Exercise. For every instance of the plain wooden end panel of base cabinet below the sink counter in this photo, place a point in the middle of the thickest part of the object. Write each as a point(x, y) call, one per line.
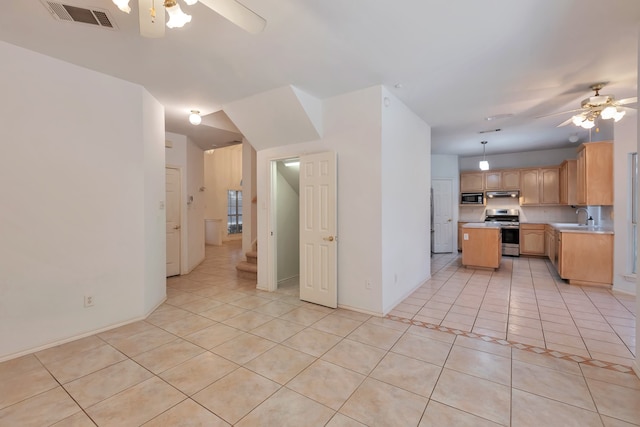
point(586, 258)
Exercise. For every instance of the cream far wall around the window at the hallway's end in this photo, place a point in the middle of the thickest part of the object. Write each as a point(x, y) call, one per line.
point(222, 172)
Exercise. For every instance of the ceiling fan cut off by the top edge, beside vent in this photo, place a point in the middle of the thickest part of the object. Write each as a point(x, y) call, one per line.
point(152, 20)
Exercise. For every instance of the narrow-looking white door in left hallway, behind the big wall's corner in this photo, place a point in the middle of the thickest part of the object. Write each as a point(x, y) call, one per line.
point(173, 221)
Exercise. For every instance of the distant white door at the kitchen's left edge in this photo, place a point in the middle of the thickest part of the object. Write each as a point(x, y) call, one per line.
point(442, 215)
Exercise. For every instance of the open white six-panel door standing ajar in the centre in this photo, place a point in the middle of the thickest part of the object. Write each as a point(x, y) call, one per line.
point(318, 227)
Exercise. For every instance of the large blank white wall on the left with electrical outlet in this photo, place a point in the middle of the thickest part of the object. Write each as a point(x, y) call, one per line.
point(83, 176)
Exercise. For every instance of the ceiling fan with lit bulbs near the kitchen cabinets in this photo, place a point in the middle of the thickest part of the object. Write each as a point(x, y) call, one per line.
point(603, 106)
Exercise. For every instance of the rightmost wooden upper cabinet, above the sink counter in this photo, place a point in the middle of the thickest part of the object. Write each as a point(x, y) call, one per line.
point(594, 169)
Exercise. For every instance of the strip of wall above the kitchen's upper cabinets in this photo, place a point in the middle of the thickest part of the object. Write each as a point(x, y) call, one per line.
point(520, 160)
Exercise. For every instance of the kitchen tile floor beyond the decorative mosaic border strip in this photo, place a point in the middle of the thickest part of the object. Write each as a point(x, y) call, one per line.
point(525, 302)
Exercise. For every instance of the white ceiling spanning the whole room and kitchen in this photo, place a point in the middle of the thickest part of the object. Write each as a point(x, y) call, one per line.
point(457, 62)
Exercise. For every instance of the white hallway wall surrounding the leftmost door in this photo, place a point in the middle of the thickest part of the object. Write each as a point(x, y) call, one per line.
point(185, 155)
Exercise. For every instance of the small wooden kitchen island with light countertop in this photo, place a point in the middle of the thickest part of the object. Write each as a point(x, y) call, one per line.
point(481, 245)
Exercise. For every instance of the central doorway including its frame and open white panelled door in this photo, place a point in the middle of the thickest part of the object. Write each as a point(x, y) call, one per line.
point(316, 225)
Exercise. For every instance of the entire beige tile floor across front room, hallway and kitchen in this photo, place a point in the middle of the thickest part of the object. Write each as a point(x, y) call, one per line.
point(219, 352)
